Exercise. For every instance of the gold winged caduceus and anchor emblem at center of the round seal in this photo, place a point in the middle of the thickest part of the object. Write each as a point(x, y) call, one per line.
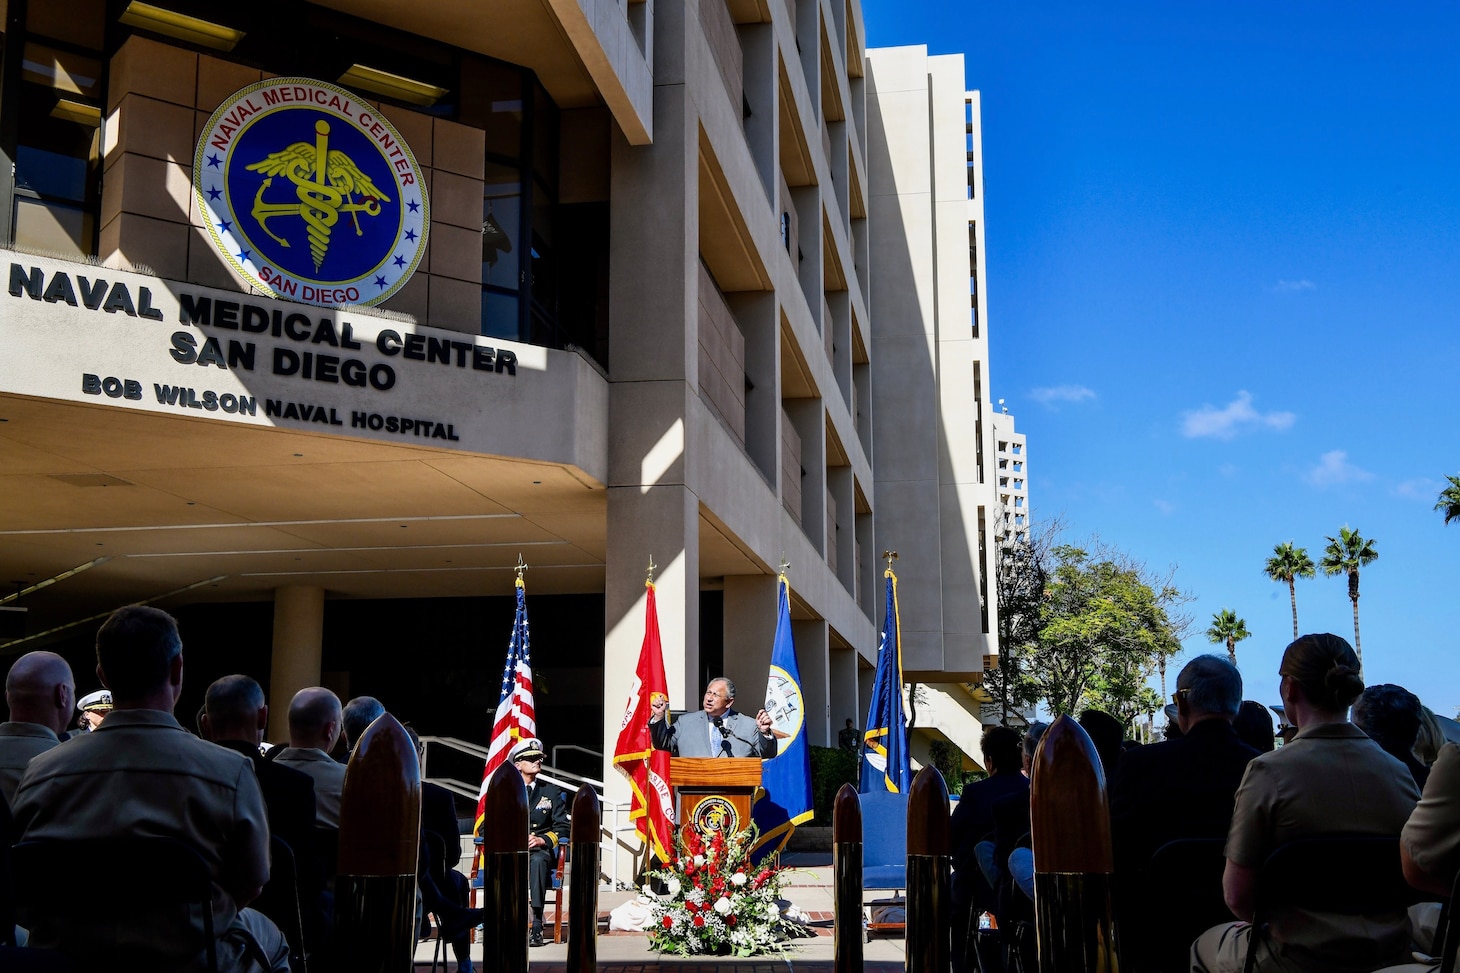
point(326, 183)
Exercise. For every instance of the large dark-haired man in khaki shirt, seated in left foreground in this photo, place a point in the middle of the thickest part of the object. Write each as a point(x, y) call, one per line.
point(142, 775)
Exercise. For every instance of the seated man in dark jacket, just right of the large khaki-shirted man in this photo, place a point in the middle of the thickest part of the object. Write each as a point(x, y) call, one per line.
point(234, 718)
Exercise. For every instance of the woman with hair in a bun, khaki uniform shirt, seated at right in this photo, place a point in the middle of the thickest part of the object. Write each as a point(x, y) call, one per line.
point(1332, 779)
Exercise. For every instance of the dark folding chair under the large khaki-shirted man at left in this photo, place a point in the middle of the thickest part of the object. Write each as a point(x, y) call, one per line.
point(160, 873)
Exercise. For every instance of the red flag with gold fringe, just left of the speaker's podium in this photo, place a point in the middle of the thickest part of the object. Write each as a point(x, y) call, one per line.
point(634, 753)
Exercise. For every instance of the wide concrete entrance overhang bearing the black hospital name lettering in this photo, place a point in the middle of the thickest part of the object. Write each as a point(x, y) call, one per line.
point(198, 505)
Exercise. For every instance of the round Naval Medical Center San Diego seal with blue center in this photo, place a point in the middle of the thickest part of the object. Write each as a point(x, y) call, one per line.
point(310, 194)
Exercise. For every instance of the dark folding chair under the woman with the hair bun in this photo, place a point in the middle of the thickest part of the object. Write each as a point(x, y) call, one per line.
point(1350, 876)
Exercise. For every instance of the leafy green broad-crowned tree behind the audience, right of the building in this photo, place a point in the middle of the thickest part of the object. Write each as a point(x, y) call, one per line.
point(1104, 626)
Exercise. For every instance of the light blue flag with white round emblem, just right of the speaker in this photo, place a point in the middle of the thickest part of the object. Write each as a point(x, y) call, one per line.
point(786, 778)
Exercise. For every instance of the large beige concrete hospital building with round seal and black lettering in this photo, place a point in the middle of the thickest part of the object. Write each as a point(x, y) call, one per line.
point(694, 293)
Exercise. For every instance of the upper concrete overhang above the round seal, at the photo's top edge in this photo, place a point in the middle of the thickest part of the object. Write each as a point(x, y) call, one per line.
point(585, 52)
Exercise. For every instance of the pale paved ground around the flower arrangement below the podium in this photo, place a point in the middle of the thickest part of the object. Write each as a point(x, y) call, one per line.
point(808, 888)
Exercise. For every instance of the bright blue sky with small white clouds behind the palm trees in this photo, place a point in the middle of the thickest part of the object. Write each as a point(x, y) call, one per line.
point(1224, 277)
